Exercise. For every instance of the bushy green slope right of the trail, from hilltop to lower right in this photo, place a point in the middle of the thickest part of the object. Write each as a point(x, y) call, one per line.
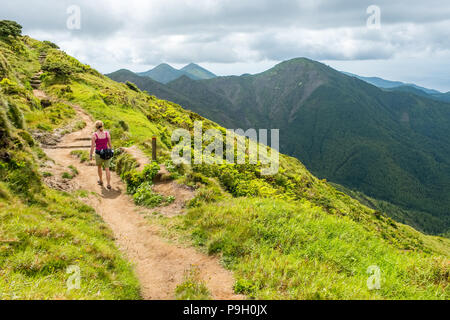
point(289, 235)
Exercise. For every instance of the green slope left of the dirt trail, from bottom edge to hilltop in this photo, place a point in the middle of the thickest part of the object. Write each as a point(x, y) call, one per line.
point(46, 235)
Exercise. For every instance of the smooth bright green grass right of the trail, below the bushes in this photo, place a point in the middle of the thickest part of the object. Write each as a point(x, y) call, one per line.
point(282, 250)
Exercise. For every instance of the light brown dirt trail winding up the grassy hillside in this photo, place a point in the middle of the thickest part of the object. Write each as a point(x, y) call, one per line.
point(159, 265)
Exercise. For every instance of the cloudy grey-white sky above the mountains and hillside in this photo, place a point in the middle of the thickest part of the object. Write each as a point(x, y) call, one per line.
point(412, 43)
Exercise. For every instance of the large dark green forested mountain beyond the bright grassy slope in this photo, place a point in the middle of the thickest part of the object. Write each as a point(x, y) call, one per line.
point(391, 145)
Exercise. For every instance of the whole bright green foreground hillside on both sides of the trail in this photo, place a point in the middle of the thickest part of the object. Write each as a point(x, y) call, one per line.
point(313, 241)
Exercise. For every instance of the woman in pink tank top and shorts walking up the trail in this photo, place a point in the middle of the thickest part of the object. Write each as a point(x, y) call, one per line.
point(101, 139)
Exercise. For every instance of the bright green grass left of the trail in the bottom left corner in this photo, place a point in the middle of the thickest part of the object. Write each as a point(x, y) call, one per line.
point(49, 237)
